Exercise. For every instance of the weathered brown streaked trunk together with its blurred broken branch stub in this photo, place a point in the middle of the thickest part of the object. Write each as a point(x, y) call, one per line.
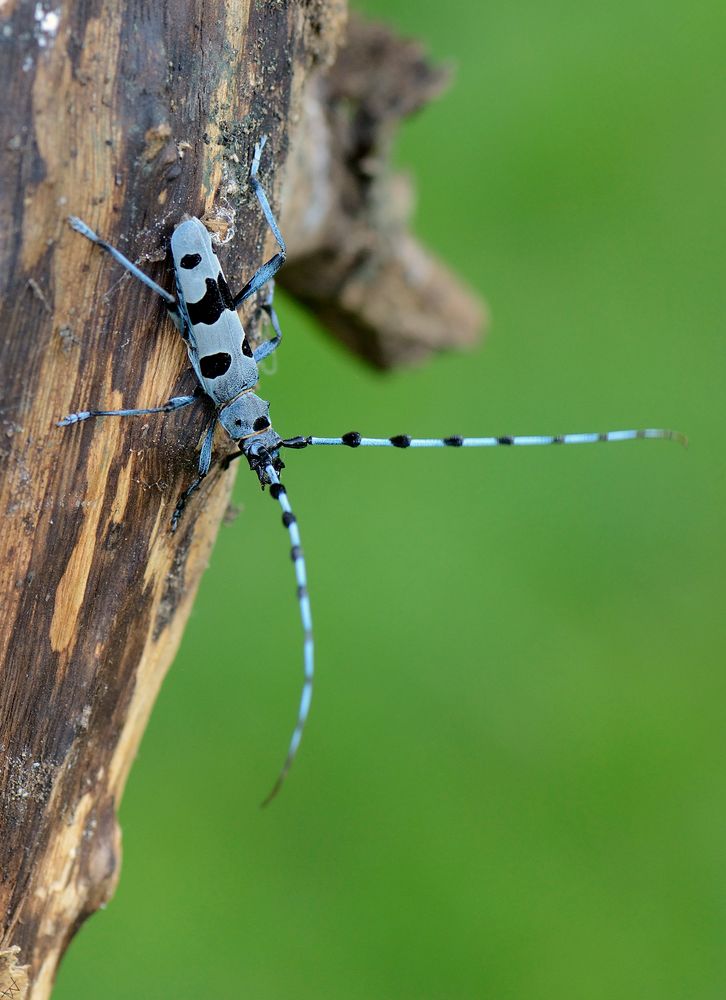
point(128, 116)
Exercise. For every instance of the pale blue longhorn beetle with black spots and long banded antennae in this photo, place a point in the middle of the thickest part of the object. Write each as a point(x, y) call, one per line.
point(225, 365)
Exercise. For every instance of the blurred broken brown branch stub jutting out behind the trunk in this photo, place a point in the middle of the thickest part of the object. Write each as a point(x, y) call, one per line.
point(352, 258)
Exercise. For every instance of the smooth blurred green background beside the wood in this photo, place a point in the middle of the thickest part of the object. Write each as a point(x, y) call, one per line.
point(512, 781)
